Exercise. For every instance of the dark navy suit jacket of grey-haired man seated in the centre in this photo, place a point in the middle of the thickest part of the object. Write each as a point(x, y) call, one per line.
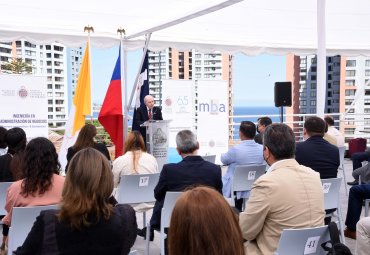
point(192, 170)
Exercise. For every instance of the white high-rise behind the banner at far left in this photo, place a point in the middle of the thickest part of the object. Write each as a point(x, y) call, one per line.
point(58, 63)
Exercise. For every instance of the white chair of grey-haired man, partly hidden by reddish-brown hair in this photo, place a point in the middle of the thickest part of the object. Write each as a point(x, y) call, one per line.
point(168, 205)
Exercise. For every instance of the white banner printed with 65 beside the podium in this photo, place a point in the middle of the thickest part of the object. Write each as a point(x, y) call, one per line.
point(178, 106)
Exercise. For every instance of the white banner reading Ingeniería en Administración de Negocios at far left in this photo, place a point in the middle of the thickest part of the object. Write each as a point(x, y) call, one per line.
point(23, 103)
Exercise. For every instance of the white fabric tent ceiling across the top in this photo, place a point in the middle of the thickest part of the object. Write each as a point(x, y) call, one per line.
point(250, 26)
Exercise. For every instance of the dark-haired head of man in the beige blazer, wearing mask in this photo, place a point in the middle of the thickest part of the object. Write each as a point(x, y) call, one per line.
point(278, 143)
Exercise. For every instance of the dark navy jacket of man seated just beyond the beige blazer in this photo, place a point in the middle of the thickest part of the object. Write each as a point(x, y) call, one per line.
point(319, 155)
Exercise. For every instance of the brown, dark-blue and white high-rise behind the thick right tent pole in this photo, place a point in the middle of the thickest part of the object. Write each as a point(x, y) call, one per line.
point(345, 76)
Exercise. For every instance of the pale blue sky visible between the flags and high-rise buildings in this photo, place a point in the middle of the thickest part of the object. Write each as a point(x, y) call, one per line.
point(253, 76)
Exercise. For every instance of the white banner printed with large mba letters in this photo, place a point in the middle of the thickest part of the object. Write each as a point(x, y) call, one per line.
point(213, 118)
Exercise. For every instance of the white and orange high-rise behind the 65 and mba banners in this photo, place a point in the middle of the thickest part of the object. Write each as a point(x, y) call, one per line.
point(188, 65)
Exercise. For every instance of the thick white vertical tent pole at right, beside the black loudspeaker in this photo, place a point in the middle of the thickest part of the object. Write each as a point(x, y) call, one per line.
point(321, 59)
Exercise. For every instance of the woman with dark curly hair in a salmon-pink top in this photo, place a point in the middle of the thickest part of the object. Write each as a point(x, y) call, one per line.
point(42, 184)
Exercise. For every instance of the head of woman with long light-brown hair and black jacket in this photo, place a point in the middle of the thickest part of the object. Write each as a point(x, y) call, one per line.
point(87, 188)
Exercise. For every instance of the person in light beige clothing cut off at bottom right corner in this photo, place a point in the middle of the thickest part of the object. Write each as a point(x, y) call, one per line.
point(363, 236)
